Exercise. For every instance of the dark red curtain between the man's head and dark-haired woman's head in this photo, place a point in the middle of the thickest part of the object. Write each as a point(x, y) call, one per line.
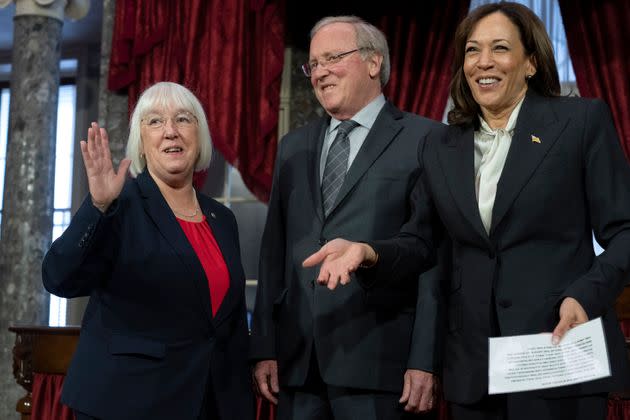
point(421, 49)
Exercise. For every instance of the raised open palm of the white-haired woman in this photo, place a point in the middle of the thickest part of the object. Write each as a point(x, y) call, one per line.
point(104, 182)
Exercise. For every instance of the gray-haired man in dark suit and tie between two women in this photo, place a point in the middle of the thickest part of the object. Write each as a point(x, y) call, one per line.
point(366, 350)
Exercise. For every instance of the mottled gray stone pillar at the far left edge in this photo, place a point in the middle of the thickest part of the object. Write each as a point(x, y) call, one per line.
point(29, 177)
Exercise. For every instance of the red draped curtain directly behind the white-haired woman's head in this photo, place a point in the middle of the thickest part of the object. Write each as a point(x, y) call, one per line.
point(229, 53)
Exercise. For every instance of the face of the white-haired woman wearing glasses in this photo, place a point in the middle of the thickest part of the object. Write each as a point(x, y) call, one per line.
point(171, 150)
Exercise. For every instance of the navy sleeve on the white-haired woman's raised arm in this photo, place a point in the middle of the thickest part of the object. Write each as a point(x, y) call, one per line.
point(80, 260)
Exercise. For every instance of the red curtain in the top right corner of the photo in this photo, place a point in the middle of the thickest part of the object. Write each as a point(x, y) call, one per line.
point(598, 35)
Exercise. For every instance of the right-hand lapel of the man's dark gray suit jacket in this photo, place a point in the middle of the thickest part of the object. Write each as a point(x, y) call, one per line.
point(381, 134)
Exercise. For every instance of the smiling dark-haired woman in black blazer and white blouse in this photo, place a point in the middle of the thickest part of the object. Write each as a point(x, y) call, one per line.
point(518, 186)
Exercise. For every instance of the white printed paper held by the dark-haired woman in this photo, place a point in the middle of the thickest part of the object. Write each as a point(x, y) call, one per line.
point(528, 362)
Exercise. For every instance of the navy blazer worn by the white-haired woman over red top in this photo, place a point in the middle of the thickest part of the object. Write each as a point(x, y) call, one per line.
point(148, 342)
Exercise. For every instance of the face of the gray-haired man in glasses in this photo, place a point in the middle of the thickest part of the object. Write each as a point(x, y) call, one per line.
point(345, 87)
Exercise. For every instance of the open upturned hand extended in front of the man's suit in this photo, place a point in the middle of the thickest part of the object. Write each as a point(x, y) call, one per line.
point(339, 258)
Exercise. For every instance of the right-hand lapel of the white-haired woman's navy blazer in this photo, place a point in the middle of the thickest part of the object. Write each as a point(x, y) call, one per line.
point(231, 256)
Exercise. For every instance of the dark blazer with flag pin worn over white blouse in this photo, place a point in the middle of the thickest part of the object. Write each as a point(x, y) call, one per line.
point(565, 177)
